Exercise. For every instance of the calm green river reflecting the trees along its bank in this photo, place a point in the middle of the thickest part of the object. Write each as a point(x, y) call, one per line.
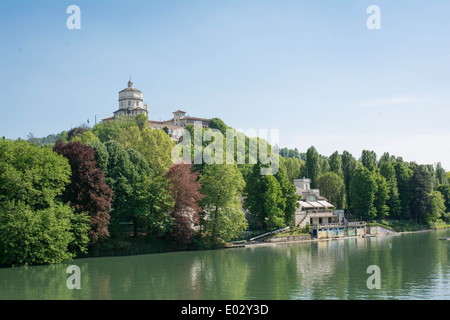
point(411, 266)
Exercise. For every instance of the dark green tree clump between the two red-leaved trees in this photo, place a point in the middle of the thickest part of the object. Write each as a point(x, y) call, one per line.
point(140, 196)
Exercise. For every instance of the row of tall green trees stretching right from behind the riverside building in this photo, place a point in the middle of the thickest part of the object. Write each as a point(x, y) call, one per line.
point(373, 188)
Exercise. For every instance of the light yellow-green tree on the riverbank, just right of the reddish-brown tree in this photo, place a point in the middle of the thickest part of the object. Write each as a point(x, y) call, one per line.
point(222, 186)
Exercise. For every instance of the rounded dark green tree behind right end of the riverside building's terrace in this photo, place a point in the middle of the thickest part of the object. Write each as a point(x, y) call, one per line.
point(362, 193)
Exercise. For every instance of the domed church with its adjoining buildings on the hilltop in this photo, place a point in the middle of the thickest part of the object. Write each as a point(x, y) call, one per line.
point(131, 103)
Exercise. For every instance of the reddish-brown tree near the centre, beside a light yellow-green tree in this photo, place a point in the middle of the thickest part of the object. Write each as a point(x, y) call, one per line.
point(185, 190)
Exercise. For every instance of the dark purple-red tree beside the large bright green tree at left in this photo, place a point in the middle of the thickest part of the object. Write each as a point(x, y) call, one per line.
point(87, 191)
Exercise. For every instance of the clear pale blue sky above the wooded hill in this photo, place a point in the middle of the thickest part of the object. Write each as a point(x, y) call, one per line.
point(311, 69)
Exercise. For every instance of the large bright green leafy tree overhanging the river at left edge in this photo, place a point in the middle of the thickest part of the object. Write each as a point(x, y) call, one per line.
point(35, 227)
